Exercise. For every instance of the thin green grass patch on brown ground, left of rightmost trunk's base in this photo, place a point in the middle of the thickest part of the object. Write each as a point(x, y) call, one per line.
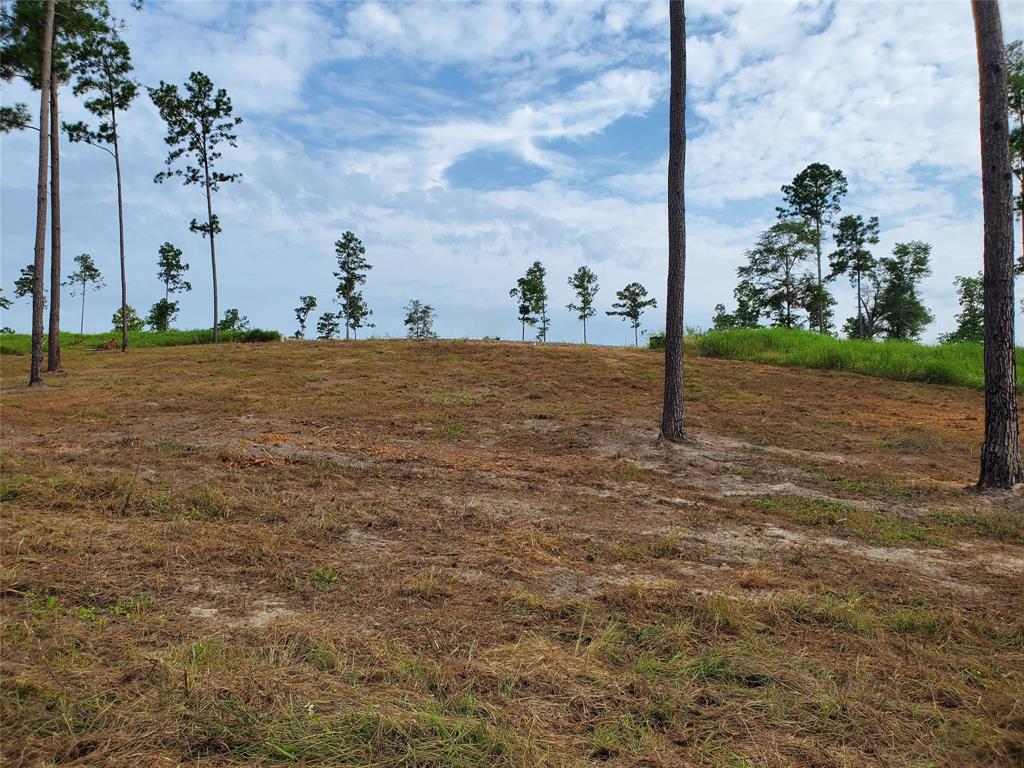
point(847, 520)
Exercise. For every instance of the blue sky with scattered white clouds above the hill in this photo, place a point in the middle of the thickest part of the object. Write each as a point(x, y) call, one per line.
point(462, 142)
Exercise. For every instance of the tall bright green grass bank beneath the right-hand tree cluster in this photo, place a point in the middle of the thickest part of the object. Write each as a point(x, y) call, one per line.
point(958, 365)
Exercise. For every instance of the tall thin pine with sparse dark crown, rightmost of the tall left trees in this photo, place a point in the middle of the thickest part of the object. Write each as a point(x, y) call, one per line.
point(197, 124)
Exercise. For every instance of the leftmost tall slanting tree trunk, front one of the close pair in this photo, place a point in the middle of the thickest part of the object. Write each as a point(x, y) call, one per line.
point(39, 263)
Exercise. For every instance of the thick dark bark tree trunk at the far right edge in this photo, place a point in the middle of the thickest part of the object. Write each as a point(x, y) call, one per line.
point(1001, 454)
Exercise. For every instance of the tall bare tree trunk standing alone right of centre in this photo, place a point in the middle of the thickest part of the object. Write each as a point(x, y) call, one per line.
point(672, 411)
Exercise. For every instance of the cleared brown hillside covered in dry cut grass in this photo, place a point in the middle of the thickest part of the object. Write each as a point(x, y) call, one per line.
point(475, 554)
